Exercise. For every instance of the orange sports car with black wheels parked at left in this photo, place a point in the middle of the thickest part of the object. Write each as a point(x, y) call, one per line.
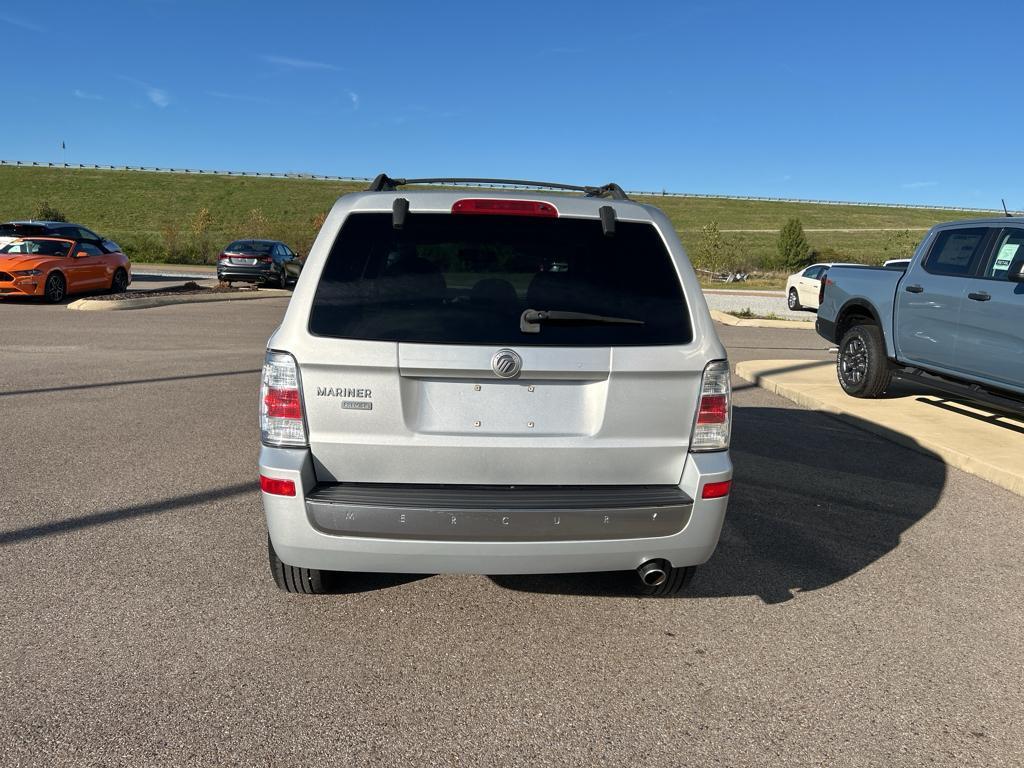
point(55, 268)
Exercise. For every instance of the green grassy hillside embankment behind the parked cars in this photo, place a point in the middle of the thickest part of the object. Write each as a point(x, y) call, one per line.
point(159, 217)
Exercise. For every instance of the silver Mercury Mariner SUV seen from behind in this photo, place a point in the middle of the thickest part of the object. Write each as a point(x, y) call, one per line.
point(495, 382)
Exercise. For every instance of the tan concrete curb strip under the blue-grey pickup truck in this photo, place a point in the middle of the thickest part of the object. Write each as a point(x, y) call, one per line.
point(987, 450)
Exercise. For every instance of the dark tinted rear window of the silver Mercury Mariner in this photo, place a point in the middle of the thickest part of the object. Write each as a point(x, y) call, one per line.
point(467, 280)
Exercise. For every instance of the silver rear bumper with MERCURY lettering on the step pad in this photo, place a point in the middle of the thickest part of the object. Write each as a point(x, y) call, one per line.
point(408, 533)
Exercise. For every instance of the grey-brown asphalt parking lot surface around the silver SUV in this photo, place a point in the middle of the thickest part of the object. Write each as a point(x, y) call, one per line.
point(863, 609)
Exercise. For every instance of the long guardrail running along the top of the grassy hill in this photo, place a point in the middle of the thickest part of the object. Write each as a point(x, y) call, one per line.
point(638, 193)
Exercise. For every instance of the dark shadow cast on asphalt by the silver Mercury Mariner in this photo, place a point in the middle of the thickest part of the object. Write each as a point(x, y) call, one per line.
point(816, 500)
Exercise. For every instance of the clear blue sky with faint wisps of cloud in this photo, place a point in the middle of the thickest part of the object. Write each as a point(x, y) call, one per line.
point(893, 102)
